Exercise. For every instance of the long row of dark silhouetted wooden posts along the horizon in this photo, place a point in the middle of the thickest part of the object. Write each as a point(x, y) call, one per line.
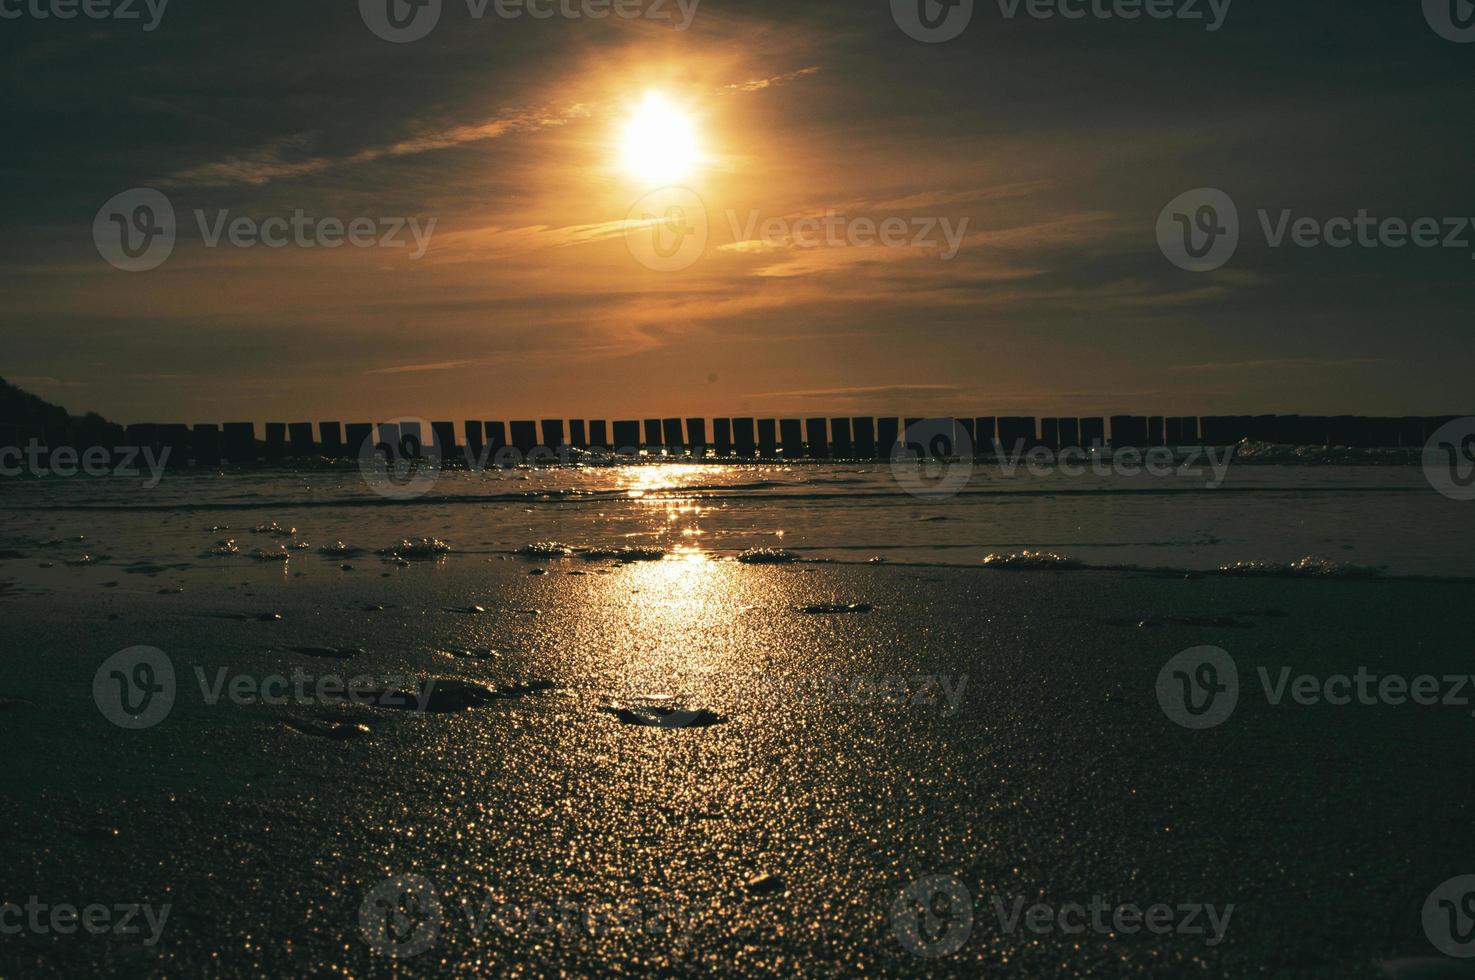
point(861, 438)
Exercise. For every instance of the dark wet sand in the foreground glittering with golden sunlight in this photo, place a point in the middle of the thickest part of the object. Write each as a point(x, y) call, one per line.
point(815, 768)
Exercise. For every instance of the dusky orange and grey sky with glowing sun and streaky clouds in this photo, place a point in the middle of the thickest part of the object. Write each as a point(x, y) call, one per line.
point(546, 287)
